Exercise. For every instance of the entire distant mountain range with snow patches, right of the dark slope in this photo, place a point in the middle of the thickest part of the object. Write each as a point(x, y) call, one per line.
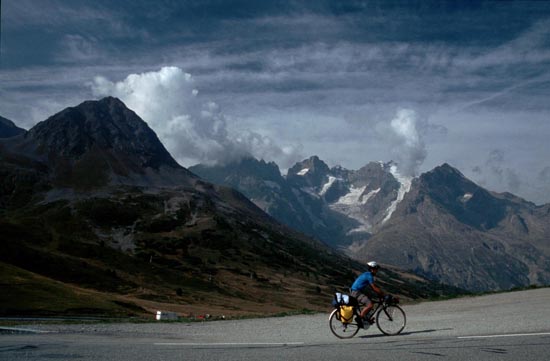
point(440, 225)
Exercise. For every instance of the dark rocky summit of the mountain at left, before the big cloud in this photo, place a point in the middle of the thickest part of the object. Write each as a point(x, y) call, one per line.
point(106, 125)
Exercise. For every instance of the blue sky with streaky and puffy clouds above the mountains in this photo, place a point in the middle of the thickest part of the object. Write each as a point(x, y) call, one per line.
point(421, 83)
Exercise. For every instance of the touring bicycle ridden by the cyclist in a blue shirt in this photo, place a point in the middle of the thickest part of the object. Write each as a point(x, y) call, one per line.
point(389, 318)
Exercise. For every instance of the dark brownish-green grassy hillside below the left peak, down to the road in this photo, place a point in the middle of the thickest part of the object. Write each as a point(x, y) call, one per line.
point(104, 256)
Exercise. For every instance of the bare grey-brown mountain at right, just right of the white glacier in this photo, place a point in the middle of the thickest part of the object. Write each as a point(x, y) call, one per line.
point(448, 228)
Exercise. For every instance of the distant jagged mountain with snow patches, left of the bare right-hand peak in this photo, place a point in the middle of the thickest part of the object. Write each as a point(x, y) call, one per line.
point(335, 205)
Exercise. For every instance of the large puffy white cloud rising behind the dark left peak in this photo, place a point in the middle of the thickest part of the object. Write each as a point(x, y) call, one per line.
point(192, 129)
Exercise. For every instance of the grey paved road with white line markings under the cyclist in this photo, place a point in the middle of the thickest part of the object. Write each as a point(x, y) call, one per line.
point(510, 326)
